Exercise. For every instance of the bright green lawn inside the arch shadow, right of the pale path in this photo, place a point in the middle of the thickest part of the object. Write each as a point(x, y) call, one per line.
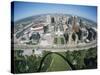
point(58, 64)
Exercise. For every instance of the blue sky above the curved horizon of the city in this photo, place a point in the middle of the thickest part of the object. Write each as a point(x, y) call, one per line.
point(26, 9)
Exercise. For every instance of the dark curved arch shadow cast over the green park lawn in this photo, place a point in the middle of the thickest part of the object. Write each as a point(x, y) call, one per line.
point(70, 64)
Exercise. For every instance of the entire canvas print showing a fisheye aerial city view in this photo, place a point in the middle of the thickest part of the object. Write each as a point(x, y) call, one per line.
point(53, 37)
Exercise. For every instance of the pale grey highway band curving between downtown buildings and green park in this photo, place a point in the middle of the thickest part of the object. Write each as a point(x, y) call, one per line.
point(58, 48)
